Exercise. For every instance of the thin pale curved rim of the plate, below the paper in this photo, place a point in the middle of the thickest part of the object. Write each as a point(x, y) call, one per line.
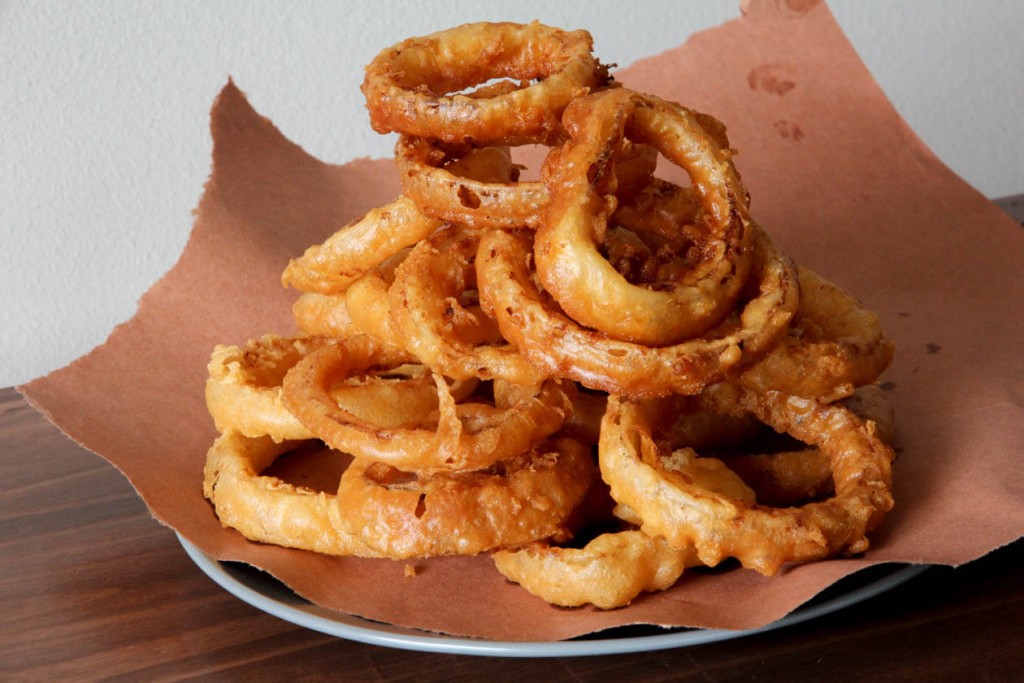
point(358, 629)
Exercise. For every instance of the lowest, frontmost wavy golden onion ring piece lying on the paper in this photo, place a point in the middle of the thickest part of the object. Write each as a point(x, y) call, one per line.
point(610, 572)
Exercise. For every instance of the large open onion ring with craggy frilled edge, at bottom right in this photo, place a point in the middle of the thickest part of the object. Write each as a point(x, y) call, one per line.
point(720, 526)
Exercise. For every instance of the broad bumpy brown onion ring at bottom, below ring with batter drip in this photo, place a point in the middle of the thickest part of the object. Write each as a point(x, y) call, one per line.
point(529, 498)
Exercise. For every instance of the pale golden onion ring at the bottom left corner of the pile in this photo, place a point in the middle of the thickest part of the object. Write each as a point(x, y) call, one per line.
point(268, 509)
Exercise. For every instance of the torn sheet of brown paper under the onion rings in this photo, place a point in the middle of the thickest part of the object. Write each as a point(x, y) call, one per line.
point(835, 175)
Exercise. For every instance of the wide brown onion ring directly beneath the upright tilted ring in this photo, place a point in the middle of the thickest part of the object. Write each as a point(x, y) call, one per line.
point(564, 349)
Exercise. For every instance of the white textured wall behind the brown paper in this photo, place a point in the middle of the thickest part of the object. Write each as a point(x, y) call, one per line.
point(104, 106)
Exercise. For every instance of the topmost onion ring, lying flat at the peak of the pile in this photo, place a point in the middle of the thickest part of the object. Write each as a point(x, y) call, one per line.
point(409, 87)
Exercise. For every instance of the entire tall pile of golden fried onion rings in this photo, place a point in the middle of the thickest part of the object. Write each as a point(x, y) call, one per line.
point(600, 376)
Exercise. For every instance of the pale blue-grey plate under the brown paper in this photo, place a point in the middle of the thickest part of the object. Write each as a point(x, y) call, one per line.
point(268, 594)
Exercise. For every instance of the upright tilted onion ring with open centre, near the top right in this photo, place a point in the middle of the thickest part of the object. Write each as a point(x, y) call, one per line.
point(571, 267)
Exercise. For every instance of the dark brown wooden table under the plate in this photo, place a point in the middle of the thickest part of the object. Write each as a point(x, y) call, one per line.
point(92, 587)
